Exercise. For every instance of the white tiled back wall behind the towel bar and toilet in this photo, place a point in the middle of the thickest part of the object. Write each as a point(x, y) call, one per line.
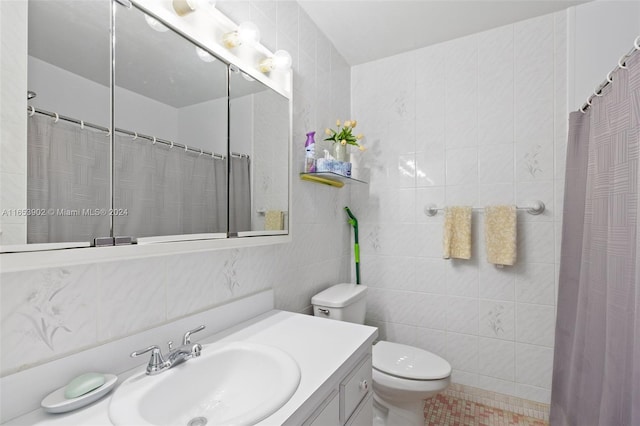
point(476, 121)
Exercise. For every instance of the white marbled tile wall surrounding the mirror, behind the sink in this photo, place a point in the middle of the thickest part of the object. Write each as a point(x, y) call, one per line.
point(49, 313)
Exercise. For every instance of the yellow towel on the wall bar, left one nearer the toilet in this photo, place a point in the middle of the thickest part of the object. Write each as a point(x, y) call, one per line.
point(456, 241)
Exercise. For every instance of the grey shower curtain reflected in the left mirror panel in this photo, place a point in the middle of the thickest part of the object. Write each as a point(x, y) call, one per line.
point(67, 171)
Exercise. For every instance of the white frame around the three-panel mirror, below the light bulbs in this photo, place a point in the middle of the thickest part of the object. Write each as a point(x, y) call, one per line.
point(197, 29)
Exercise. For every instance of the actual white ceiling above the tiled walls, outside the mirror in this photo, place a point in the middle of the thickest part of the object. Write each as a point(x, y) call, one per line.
point(366, 30)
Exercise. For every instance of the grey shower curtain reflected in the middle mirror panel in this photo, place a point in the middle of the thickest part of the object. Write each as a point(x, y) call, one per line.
point(167, 191)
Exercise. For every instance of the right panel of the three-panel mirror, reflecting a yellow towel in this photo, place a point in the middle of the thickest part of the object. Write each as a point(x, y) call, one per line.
point(259, 145)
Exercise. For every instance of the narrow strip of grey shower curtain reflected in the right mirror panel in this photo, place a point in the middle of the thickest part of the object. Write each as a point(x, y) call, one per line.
point(240, 195)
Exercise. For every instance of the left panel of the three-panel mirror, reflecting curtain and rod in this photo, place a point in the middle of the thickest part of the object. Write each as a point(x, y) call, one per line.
point(68, 160)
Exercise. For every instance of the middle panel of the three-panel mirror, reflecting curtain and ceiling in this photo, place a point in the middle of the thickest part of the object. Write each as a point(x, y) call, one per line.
point(170, 143)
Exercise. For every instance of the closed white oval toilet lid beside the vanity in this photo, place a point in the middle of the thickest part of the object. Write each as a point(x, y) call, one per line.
point(409, 362)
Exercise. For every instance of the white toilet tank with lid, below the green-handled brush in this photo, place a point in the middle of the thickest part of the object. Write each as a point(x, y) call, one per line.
point(342, 302)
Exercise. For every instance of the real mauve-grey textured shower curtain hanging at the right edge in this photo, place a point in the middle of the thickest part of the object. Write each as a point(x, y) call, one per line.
point(596, 372)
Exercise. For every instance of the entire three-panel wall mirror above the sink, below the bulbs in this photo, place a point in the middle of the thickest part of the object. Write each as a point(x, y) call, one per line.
point(144, 134)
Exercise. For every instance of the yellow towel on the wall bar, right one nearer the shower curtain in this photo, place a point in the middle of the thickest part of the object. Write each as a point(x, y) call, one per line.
point(500, 234)
